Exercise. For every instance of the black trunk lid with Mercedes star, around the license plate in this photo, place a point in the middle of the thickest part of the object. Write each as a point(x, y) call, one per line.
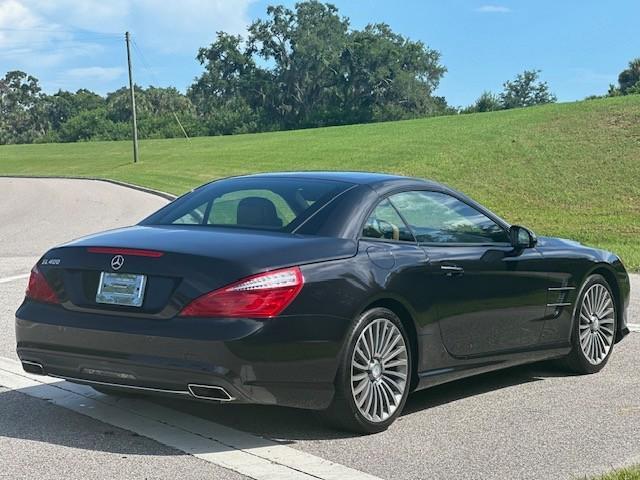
point(179, 263)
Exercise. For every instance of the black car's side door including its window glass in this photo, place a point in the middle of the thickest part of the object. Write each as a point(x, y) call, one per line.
point(490, 297)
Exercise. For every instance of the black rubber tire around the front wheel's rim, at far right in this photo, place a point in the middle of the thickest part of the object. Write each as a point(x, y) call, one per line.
point(577, 360)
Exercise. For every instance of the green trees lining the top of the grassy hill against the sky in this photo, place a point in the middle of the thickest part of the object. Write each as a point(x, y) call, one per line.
point(298, 68)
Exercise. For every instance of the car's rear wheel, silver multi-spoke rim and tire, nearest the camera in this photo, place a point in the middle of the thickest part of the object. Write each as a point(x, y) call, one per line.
point(374, 375)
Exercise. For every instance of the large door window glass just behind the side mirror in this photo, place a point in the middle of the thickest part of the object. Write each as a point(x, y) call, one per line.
point(437, 217)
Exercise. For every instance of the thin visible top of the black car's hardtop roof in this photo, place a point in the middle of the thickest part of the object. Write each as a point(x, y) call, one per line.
point(360, 178)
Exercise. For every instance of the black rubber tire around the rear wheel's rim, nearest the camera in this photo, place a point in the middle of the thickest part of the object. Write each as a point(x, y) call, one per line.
point(343, 412)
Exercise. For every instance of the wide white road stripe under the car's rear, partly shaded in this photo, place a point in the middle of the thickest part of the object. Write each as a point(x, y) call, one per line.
point(244, 453)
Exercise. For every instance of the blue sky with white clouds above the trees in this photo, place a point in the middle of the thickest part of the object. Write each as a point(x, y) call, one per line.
point(580, 46)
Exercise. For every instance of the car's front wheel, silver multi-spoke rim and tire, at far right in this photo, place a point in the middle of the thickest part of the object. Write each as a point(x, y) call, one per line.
point(594, 327)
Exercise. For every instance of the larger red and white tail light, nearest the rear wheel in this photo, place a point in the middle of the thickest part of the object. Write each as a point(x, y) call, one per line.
point(260, 296)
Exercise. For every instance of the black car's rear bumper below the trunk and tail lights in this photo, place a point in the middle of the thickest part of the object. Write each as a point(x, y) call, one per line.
point(289, 360)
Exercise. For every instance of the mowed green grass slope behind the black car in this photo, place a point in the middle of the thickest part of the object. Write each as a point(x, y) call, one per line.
point(569, 170)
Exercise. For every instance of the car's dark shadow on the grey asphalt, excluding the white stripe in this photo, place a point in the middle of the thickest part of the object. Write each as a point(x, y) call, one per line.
point(284, 425)
